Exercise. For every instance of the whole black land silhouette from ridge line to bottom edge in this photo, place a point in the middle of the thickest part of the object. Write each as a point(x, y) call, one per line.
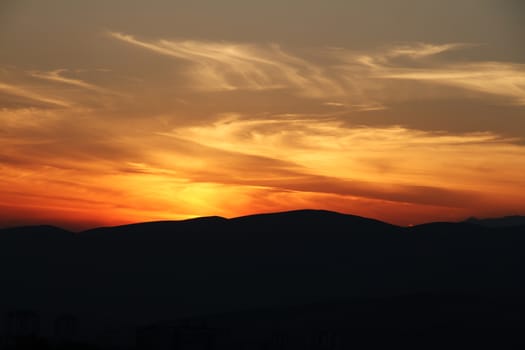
point(295, 280)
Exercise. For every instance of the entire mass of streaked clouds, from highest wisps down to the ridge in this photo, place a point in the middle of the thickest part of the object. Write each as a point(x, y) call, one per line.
point(213, 127)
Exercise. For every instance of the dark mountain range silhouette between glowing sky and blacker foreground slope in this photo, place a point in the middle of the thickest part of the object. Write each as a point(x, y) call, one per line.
point(133, 275)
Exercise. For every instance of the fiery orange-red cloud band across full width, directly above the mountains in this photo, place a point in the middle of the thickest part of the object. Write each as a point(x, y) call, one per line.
point(239, 165)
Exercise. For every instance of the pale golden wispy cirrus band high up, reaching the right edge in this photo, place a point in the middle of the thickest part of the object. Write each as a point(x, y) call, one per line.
point(339, 73)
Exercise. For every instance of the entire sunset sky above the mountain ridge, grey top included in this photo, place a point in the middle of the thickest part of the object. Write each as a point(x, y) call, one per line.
point(114, 112)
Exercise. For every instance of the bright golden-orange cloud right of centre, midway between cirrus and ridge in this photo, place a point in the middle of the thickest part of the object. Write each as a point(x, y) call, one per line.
point(391, 163)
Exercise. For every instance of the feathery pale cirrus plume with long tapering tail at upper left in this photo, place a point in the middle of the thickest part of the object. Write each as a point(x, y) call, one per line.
point(233, 66)
